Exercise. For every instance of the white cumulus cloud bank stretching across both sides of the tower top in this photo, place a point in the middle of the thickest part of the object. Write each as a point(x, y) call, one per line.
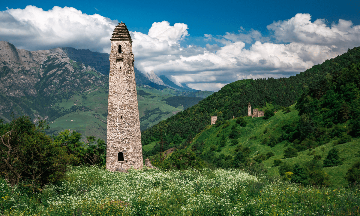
point(294, 45)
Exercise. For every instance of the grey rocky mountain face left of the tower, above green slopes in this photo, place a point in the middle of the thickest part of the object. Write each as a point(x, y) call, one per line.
point(42, 76)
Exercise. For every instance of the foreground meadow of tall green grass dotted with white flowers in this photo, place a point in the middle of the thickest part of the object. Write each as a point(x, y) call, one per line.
point(94, 191)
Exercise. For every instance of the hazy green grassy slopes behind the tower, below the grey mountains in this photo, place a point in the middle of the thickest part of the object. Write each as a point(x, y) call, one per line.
point(92, 121)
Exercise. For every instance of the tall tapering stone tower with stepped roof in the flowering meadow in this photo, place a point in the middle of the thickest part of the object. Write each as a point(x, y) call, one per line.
point(124, 148)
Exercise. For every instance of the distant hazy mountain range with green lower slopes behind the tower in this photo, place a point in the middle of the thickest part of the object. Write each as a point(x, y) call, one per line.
point(69, 87)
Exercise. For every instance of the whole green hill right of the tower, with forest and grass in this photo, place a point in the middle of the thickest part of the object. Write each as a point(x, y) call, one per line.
point(317, 114)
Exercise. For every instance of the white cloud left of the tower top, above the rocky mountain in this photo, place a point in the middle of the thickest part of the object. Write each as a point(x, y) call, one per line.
point(33, 28)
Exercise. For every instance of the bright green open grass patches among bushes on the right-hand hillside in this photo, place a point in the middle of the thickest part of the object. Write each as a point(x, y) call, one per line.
point(257, 129)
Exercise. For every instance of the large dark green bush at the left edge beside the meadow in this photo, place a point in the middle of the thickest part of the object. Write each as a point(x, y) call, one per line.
point(28, 155)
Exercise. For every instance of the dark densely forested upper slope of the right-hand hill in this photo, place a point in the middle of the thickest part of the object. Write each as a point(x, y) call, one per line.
point(232, 100)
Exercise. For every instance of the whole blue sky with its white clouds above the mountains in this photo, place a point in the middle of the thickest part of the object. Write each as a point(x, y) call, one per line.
point(205, 44)
